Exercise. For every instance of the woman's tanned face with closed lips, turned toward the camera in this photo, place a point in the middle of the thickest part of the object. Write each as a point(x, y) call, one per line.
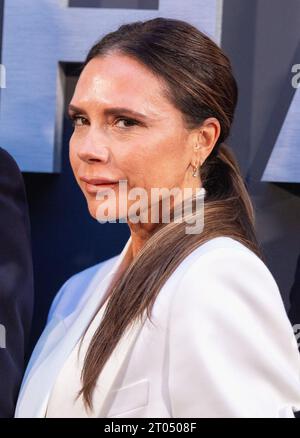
point(125, 129)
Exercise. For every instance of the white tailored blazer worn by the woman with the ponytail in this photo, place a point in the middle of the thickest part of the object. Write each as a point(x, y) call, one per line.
point(221, 344)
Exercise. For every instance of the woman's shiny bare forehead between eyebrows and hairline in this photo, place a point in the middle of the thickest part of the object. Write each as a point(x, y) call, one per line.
point(120, 80)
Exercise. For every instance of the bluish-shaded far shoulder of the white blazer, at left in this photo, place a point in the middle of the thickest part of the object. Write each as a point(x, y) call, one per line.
point(74, 290)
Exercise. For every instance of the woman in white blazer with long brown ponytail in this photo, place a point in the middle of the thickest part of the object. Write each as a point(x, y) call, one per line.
point(179, 324)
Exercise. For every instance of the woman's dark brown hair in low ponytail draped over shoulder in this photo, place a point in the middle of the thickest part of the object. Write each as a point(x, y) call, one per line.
point(198, 80)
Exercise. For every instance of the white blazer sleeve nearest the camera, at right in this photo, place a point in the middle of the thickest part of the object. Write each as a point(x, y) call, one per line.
point(232, 349)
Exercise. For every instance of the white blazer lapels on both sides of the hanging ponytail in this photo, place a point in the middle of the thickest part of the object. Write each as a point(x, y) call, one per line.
point(56, 344)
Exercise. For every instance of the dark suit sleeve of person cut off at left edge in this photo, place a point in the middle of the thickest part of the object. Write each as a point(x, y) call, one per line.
point(16, 281)
